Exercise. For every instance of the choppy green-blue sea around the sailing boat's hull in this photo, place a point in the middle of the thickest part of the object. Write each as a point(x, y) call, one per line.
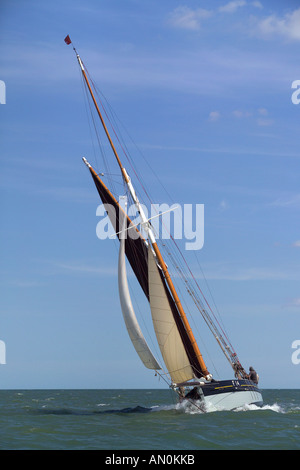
point(111, 420)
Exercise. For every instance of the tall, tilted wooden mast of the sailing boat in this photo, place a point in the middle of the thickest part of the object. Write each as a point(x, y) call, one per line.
point(202, 366)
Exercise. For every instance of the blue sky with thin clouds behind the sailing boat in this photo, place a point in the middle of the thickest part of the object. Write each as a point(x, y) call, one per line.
point(204, 89)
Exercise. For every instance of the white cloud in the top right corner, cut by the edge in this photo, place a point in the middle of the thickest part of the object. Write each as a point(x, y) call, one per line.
point(287, 26)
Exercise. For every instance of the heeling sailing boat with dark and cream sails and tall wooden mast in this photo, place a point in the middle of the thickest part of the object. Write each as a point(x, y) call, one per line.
point(184, 364)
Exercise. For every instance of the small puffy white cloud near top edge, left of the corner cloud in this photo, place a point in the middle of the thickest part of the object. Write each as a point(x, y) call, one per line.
point(186, 18)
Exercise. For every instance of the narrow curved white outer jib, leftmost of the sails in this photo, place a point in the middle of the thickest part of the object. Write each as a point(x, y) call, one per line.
point(130, 319)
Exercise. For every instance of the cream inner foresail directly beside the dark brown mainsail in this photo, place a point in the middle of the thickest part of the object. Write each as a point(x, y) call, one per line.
point(168, 336)
